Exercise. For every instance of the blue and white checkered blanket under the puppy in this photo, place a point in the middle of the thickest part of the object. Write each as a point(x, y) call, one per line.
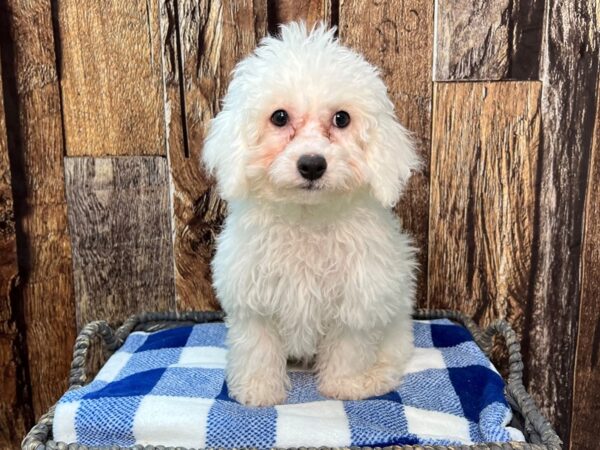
point(167, 388)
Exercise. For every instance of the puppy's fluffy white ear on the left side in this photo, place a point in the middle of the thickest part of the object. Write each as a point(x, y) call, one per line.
point(224, 154)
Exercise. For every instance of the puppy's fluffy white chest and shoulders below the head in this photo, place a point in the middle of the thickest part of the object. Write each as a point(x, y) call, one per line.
point(304, 276)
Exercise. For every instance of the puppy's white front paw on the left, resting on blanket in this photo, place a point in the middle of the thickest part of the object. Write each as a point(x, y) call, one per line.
point(259, 391)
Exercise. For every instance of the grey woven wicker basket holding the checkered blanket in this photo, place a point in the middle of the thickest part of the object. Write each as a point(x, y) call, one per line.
point(538, 431)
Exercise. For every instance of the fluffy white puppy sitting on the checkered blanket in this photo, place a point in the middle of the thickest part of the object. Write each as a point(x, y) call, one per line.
point(311, 264)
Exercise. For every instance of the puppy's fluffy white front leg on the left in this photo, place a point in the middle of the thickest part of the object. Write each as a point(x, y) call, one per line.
point(256, 362)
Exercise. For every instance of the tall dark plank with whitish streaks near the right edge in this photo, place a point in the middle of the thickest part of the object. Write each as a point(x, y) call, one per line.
point(571, 53)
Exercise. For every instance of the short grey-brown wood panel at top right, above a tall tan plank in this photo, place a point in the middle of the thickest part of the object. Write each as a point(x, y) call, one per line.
point(483, 40)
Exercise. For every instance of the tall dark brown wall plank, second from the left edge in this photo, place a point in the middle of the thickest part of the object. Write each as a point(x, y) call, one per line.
point(35, 145)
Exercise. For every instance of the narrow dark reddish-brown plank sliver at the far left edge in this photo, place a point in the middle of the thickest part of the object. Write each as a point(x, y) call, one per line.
point(13, 402)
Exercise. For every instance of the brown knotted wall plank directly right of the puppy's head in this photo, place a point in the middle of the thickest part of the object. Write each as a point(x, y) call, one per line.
point(397, 37)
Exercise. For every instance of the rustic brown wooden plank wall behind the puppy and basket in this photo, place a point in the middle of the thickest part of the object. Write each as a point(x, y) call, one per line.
point(104, 210)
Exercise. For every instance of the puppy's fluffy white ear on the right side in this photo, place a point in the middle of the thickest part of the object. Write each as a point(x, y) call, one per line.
point(392, 158)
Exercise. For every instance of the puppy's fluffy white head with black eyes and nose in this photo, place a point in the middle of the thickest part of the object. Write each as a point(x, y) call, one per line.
point(306, 120)
